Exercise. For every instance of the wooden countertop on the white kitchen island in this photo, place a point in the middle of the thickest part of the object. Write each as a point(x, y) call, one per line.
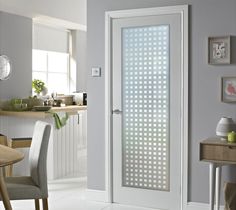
point(71, 110)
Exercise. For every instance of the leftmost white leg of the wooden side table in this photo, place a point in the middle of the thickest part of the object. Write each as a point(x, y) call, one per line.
point(212, 185)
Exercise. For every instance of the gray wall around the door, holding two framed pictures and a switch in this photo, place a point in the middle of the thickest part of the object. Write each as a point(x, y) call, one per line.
point(207, 18)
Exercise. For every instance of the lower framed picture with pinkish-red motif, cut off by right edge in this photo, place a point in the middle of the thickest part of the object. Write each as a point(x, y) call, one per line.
point(228, 89)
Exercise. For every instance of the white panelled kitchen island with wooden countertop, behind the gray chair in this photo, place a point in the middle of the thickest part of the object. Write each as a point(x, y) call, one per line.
point(67, 146)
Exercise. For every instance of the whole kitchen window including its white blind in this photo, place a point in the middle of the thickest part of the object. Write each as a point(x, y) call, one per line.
point(53, 58)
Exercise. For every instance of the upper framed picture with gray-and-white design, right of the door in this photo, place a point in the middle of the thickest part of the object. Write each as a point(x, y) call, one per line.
point(219, 50)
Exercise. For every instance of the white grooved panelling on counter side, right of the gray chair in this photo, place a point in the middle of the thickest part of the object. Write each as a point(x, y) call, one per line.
point(69, 147)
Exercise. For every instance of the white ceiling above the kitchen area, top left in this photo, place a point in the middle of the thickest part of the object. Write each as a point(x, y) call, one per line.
point(70, 10)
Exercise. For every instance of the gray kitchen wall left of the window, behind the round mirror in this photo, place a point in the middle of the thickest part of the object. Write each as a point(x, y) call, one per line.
point(16, 42)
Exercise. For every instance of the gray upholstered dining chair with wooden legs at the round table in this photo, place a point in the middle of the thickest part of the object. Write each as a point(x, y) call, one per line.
point(35, 185)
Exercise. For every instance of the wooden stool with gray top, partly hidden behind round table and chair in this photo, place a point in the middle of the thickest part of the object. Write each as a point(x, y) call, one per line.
point(17, 143)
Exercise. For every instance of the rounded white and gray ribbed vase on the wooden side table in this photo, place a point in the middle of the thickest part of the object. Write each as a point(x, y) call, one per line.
point(224, 126)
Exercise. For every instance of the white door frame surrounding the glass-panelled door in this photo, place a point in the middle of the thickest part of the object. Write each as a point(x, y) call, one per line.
point(182, 10)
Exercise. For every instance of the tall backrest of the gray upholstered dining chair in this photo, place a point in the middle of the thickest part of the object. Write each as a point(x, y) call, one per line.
point(38, 155)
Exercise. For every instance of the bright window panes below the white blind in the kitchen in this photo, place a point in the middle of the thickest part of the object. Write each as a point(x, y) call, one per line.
point(52, 68)
